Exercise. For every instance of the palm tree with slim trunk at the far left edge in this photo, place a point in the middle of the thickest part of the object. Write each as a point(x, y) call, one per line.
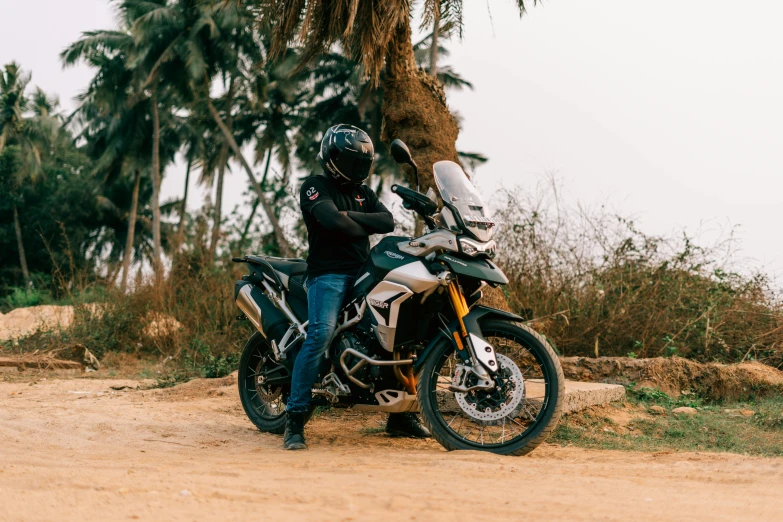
point(32, 125)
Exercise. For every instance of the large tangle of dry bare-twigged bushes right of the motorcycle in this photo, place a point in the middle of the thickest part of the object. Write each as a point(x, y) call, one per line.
point(596, 285)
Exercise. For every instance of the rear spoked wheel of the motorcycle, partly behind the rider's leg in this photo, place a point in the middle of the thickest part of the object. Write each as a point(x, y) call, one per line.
point(264, 404)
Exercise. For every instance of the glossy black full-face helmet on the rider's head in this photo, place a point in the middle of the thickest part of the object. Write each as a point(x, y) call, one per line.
point(346, 154)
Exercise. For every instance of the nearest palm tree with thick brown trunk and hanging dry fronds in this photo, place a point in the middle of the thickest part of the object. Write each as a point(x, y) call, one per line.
point(378, 35)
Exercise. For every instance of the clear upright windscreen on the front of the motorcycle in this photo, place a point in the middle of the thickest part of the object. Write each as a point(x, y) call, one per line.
point(458, 192)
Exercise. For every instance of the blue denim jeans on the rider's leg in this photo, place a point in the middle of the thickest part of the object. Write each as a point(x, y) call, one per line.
point(325, 296)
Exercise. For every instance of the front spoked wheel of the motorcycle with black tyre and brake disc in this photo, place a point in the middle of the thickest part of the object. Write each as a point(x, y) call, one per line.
point(513, 417)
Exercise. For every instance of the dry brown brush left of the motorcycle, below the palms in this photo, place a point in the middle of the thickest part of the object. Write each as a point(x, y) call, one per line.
point(198, 294)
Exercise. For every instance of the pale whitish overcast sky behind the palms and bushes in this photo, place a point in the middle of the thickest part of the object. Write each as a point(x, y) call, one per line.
point(669, 112)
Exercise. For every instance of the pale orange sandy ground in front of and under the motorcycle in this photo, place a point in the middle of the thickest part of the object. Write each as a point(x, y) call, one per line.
point(75, 449)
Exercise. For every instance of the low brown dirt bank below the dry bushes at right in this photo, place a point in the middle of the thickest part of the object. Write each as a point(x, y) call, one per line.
point(676, 375)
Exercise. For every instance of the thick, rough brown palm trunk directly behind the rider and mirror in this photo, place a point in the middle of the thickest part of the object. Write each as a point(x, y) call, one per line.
point(415, 111)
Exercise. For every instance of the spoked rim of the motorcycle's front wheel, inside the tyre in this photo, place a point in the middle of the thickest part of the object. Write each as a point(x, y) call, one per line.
point(491, 431)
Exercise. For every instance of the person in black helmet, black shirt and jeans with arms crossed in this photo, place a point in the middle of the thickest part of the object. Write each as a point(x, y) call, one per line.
point(340, 213)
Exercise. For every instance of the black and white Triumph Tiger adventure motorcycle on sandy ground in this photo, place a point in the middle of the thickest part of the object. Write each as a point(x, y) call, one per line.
point(412, 336)
